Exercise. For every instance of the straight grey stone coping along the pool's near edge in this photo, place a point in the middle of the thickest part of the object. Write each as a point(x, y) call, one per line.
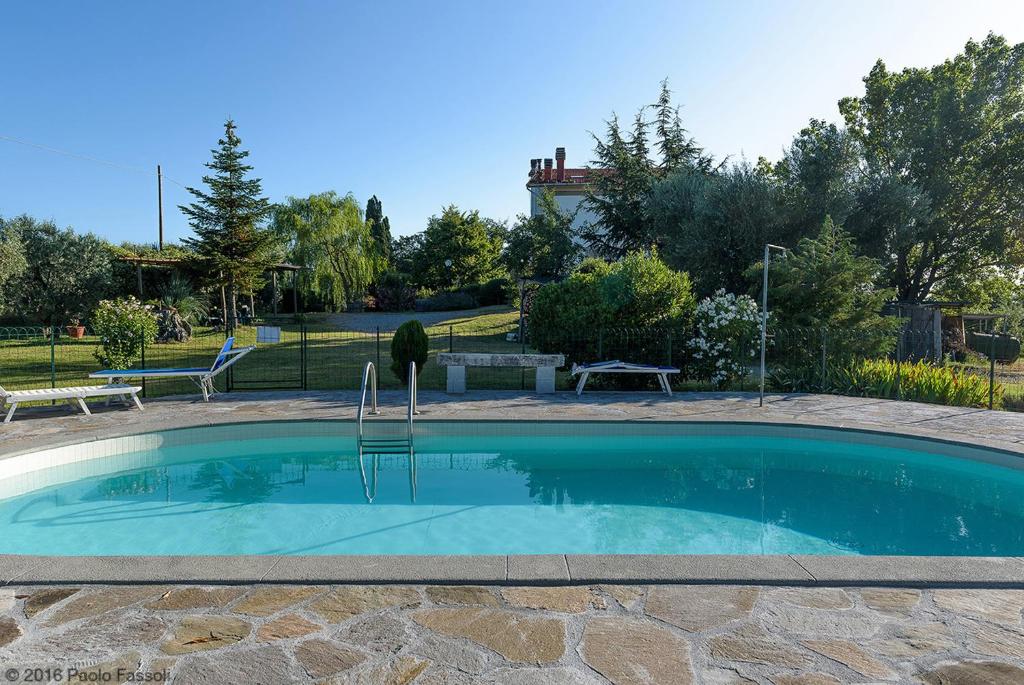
point(519, 570)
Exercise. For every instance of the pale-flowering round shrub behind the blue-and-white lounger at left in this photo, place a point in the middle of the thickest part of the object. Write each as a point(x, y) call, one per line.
point(123, 326)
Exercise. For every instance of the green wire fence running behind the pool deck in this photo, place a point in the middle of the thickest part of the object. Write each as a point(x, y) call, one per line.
point(312, 358)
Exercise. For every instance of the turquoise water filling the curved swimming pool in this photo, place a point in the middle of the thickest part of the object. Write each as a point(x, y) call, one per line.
point(522, 489)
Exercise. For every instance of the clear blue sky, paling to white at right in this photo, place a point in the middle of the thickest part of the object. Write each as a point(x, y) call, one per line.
point(423, 104)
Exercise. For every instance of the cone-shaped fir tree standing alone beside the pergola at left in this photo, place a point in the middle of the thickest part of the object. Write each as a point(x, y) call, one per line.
point(231, 246)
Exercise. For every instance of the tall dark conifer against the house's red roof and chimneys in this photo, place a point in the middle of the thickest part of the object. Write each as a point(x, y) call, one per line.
point(627, 170)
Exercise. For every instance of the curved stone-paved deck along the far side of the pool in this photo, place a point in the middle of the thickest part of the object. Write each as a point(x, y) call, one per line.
point(35, 429)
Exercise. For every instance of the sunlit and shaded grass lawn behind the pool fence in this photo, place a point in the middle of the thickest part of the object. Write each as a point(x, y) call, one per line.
point(334, 359)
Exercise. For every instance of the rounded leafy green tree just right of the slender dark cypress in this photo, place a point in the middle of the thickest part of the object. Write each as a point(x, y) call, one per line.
point(474, 245)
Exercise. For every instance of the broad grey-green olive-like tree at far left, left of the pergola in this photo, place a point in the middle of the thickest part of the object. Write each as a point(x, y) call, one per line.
point(65, 274)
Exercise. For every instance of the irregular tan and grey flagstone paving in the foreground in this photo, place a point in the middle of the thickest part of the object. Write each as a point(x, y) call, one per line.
point(625, 635)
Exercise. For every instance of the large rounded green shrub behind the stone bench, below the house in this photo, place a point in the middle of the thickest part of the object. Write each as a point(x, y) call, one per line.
point(629, 310)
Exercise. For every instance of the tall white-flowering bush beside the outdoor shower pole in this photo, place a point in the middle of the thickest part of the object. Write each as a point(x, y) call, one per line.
point(726, 342)
